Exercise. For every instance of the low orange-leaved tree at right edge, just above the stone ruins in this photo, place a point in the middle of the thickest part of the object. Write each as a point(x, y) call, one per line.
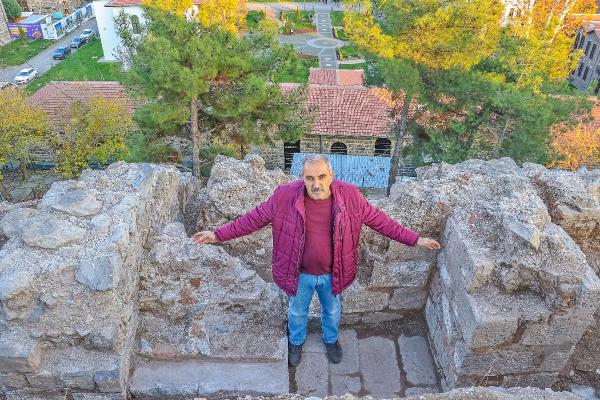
point(576, 147)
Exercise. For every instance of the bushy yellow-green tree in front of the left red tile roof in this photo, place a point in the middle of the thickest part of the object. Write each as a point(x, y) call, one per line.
point(96, 131)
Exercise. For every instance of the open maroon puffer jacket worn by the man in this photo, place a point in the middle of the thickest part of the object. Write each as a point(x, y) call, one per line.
point(285, 211)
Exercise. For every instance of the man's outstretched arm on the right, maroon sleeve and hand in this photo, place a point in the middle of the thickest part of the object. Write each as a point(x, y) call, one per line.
point(376, 219)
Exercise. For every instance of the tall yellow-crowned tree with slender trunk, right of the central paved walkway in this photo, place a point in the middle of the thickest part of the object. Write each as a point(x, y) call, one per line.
point(414, 36)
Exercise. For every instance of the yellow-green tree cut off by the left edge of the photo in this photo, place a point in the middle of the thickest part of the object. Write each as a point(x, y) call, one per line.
point(22, 125)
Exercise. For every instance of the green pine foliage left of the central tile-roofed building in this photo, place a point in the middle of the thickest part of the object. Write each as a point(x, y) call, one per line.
point(180, 60)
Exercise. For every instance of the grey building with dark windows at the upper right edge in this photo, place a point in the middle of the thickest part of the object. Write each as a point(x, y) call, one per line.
point(588, 69)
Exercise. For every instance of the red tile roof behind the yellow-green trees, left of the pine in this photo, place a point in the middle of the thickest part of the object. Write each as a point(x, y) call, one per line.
point(56, 98)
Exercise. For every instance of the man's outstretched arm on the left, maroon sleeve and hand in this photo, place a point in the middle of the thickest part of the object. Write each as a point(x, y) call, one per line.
point(252, 221)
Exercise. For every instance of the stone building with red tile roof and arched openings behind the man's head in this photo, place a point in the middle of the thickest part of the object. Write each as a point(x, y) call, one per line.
point(350, 119)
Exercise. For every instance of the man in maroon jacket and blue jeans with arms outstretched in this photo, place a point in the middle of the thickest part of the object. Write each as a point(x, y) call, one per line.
point(316, 225)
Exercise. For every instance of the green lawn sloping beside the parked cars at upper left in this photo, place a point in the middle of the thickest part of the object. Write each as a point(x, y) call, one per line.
point(81, 65)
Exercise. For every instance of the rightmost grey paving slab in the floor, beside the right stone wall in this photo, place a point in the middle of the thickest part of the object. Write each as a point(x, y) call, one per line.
point(416, 361)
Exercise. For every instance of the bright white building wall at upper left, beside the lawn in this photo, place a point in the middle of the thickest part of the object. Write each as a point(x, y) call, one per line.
point(105, 18)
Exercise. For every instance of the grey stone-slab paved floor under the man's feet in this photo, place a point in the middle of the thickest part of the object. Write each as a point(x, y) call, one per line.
point(382, 366)
